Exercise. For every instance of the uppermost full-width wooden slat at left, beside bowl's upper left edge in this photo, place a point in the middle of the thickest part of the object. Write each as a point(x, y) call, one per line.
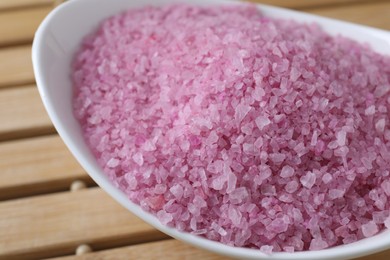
point(19, 26)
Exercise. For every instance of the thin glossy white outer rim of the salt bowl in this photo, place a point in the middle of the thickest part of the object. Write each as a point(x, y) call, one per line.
point(355, 249)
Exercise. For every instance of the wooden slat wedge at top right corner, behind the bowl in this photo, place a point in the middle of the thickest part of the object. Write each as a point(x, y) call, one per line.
point(371, 14)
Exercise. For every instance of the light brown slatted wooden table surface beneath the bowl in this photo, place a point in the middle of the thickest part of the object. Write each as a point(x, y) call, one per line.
point(40, 215)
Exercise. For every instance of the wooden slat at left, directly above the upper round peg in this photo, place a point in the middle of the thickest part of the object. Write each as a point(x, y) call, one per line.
point(37, 165)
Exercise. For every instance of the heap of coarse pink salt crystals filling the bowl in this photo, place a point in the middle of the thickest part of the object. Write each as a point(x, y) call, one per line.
point(255, 132)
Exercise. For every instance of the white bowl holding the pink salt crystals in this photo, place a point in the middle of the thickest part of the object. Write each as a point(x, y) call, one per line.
point(55, 43)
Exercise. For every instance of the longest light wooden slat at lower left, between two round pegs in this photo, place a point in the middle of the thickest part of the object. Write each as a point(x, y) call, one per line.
point(53, 225)
